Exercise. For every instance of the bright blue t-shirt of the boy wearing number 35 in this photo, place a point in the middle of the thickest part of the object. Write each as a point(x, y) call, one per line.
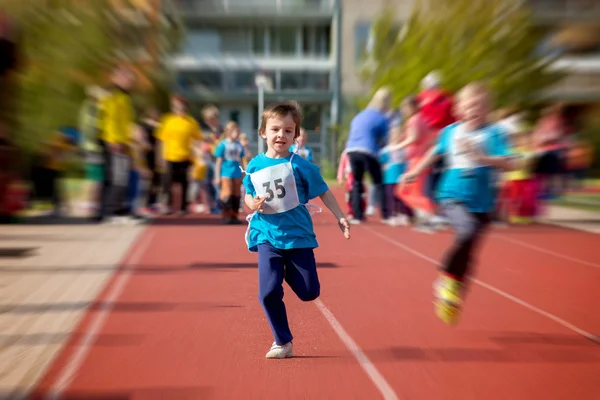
point(291, 229)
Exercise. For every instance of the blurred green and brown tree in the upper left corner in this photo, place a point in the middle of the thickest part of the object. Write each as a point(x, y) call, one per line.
point(67, 46)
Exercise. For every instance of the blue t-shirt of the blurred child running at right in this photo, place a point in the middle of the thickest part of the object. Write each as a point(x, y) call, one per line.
point(462, 180)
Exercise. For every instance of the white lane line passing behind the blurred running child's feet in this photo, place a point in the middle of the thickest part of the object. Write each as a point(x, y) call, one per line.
point(500, 292)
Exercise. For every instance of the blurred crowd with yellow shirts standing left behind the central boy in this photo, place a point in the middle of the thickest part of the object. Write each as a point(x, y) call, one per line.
point(134, 165)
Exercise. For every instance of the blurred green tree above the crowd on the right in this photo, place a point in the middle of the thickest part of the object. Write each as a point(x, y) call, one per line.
point(466, 40)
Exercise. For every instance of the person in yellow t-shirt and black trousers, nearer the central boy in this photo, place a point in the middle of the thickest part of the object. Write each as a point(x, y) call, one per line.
point(177, 134)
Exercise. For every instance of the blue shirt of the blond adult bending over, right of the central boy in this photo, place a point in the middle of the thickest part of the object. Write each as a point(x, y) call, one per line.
point(368, 132)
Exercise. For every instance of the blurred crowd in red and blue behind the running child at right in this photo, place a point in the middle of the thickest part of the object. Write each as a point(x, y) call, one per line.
point(386, 143)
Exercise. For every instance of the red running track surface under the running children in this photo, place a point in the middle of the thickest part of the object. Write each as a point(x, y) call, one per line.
point(188, 324)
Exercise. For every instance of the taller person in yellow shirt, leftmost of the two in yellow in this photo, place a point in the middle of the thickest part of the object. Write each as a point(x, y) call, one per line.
point(115, 137)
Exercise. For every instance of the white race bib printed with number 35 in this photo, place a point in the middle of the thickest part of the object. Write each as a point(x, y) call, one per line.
point(278, 185)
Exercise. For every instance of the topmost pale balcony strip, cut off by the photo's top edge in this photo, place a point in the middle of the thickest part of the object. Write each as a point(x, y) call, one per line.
point(253, 7)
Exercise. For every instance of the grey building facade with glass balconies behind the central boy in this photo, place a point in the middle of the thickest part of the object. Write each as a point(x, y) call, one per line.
point(291, 42)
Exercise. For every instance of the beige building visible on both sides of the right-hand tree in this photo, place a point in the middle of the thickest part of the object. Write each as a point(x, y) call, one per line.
point(572, 28)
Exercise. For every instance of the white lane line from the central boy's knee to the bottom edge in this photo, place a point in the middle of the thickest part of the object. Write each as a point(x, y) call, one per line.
point(382, 385)
